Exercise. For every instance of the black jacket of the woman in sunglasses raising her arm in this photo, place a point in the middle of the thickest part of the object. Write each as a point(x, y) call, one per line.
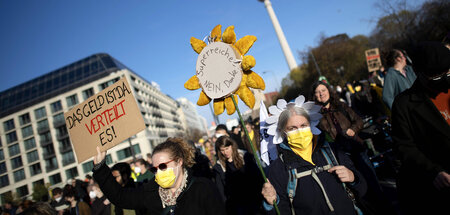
point(200, 196)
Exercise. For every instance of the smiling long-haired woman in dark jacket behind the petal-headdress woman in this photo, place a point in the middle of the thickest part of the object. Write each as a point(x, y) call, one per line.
point(341, 126)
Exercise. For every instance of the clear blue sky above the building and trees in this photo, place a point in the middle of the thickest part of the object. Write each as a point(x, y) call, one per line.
point(152, 37)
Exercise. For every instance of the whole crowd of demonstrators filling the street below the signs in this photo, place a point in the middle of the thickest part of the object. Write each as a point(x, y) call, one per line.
point(323, 163)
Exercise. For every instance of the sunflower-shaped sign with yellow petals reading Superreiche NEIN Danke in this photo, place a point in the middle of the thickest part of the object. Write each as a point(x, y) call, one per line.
point(223, 71)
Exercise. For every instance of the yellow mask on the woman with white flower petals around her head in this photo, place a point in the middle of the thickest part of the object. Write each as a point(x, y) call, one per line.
point(300, 141)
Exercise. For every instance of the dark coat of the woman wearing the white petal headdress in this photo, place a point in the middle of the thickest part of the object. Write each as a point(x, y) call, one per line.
point(309, 198)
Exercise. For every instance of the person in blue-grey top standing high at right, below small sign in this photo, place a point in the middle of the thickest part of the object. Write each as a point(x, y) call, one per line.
point(399, 76)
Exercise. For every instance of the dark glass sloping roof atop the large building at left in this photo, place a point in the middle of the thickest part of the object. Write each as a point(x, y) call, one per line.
point(57, 82)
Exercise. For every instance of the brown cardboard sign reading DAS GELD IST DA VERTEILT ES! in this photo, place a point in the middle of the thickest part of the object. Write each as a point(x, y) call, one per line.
point(105, 119)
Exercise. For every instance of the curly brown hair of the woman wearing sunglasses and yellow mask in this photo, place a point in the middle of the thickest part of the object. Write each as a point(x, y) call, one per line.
point(178, 149)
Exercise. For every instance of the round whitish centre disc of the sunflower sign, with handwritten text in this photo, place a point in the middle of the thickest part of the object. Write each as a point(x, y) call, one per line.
point(219, 69)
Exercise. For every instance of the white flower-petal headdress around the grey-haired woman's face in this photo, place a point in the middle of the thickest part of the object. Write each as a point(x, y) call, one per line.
point(275, 111)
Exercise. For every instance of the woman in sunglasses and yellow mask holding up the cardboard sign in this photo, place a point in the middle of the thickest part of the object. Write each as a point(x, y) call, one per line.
point(173, 191)
